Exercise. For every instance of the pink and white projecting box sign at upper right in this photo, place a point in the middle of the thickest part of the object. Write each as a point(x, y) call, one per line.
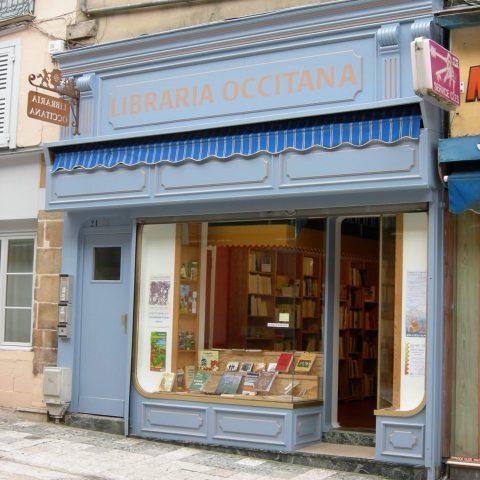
point(436, 73)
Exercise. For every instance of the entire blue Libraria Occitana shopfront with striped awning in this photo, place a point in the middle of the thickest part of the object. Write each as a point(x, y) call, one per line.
point(247, 194)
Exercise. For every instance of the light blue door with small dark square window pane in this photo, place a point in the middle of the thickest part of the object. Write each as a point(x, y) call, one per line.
point(103, 336)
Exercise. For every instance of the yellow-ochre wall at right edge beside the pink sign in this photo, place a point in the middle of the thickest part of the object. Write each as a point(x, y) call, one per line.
point(465, 44)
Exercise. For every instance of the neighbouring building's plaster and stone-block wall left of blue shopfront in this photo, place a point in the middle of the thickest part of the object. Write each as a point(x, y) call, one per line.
point(21, 179)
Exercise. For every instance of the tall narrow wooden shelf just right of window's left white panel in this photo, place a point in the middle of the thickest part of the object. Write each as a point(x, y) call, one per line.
point(186, 310)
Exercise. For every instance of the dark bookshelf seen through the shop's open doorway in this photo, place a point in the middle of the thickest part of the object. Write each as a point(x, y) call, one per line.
point(358, 329)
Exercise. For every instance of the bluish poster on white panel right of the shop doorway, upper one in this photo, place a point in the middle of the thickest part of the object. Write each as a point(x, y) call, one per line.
point(416, 304)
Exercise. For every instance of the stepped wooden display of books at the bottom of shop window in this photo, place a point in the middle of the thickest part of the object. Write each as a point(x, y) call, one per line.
point(251, 376)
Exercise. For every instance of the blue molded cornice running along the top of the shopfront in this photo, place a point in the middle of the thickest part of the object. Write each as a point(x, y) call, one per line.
point(255, 31)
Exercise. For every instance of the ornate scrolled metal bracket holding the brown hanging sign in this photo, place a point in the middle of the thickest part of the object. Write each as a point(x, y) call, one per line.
point(53, 82)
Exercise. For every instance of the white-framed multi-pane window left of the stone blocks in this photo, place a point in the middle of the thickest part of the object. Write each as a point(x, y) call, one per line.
point(17, 263)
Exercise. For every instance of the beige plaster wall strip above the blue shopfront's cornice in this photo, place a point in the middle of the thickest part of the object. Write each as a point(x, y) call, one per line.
point(170, 17)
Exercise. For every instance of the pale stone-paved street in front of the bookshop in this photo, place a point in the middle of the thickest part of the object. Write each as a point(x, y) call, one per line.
point(32, 450)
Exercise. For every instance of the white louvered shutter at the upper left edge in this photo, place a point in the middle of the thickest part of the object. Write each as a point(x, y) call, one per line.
point(6, 80)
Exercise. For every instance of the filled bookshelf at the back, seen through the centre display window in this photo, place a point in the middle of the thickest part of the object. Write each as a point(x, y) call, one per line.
point(284, 299)
